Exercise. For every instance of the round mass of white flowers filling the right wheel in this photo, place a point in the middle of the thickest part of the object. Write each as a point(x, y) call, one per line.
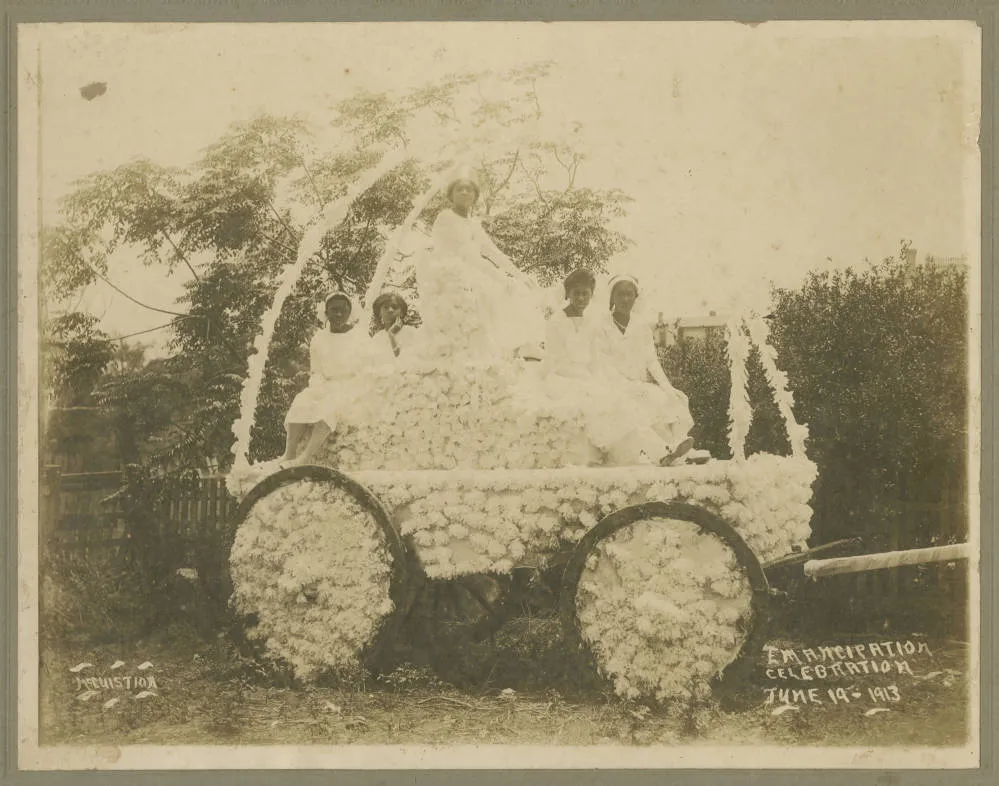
point(664, 608)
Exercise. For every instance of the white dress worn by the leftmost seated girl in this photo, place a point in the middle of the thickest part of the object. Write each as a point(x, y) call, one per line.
point(334, 362)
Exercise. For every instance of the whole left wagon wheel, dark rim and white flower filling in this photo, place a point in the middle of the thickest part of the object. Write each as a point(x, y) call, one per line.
point(316, 561)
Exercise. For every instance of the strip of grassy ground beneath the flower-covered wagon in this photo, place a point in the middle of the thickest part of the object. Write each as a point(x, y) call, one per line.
point(520, 688)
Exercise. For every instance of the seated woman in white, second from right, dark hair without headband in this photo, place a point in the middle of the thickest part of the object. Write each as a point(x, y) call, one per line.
point(574, 372)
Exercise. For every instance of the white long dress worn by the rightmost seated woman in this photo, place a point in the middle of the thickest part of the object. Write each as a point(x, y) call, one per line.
point(633, 354)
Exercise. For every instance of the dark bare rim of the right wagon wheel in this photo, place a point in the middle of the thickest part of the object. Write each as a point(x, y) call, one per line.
point(737, 670)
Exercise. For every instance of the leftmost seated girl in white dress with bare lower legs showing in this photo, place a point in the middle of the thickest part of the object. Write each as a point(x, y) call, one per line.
point(335, 356)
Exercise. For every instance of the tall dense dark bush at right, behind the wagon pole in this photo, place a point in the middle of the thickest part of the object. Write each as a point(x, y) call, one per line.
point(878, 364)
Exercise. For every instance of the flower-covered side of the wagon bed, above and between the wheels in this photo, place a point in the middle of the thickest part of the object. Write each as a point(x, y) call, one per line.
point(464, 522)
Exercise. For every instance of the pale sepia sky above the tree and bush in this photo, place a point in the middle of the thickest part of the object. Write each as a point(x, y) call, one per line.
point(752, 154)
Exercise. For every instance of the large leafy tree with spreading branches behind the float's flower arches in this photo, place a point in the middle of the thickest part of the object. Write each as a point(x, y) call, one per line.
point(235, 218)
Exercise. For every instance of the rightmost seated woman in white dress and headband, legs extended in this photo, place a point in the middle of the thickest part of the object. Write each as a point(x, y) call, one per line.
point(631, 351)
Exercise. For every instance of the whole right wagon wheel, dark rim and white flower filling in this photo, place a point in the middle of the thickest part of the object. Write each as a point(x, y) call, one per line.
point(667, 599)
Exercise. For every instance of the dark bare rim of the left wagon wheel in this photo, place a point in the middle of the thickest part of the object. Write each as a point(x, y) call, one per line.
point(406, 574)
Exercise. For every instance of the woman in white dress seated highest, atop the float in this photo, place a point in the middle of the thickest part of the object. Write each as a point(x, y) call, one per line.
point(476, 305)
